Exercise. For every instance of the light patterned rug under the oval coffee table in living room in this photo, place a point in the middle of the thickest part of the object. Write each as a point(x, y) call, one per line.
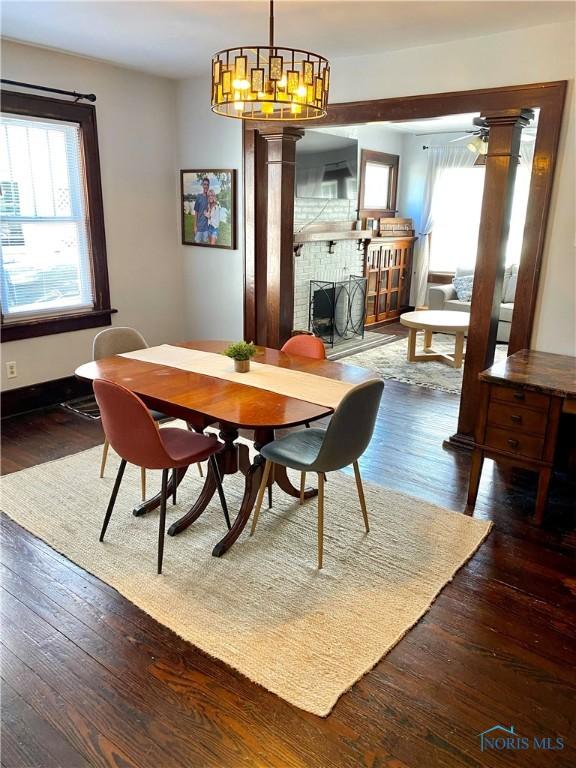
point(389, 360)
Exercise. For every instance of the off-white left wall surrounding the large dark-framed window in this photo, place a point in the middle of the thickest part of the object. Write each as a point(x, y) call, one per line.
point(136, 130)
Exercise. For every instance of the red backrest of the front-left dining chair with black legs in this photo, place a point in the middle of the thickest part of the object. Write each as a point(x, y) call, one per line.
point(129, 427)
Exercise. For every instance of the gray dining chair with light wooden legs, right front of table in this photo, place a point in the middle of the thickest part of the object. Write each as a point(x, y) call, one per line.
point(326, 450)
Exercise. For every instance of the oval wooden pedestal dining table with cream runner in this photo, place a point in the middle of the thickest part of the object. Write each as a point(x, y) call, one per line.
point(193, 381)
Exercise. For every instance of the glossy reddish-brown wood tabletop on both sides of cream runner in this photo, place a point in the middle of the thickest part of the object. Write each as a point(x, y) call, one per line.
point(178, 393)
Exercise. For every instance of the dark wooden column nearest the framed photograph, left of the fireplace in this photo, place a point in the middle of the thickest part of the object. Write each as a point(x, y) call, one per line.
point(279, 235)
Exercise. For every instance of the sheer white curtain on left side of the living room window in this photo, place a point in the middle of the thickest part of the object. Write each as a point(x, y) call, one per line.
point(440, 158)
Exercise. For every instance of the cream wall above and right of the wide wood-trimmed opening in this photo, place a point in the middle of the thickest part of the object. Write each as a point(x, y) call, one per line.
point(537, 54)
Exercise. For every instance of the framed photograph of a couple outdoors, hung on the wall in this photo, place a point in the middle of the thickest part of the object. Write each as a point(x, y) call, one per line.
point(208, 202)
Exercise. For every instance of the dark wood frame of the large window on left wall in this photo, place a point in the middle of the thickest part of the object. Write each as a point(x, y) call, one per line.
point(14, 102)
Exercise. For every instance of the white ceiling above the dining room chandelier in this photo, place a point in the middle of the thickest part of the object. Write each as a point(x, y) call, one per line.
point(176, 39)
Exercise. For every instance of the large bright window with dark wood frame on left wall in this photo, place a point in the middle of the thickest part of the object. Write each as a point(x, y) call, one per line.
point(53, 262)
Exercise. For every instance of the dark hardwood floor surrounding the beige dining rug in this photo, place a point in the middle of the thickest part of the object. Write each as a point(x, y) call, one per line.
point(90, 680)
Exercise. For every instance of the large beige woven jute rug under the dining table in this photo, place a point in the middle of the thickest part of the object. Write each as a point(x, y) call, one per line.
point(263, 608)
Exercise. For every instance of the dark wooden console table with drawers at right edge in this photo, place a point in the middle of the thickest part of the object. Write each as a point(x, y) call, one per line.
point(523, 399)
